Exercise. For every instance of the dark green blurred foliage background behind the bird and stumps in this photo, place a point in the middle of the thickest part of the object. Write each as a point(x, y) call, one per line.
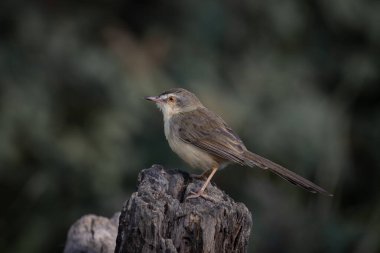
point(297, 80)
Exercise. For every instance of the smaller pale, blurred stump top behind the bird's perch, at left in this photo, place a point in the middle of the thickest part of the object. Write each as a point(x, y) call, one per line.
point(92, 234)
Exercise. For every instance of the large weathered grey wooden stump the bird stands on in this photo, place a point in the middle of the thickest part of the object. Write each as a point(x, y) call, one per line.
point(157, 218)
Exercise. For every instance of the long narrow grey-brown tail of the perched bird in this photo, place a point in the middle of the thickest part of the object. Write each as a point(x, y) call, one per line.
point(252, 160)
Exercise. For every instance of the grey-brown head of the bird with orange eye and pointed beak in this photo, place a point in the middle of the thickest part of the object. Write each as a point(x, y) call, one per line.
point(176, 100)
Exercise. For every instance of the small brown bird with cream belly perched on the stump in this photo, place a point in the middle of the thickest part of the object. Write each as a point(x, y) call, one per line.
point(204, 140)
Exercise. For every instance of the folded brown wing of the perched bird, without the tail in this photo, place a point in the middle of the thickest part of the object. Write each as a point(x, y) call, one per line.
point(207, 131)
